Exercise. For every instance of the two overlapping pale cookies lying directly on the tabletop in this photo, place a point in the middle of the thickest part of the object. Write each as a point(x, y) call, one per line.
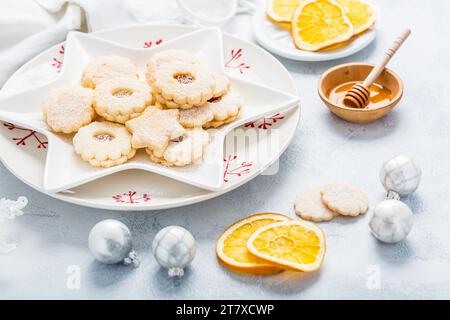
point(326, 202)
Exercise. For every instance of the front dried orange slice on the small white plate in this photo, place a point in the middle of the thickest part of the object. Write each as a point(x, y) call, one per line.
point(317, 24)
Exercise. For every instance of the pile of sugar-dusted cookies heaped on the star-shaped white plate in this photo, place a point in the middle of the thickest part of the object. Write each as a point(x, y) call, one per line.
point(166, 114)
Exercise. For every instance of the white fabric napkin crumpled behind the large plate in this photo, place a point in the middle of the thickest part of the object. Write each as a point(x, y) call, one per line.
point(28, 27)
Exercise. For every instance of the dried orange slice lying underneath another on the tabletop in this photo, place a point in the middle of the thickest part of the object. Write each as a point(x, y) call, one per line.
point(231, 248)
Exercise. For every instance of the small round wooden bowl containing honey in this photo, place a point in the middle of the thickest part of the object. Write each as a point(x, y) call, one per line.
point(357, 71)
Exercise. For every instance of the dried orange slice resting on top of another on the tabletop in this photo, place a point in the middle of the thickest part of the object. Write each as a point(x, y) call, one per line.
point(296, 245)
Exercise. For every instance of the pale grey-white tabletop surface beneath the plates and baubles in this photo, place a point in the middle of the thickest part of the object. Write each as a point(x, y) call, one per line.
point(52, 235)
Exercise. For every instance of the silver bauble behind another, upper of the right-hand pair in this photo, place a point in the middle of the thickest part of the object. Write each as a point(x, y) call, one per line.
point(401, 175)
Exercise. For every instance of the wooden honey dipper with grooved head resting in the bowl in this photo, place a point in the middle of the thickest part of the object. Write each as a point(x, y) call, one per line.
point(358, 95)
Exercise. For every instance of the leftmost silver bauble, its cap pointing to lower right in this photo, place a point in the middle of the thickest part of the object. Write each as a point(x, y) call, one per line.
point(110, 243)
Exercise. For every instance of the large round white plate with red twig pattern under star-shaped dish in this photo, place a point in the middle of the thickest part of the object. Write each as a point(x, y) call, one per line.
point(23, 151)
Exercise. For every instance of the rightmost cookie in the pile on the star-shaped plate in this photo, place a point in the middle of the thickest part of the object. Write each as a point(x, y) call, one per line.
point(226, 109)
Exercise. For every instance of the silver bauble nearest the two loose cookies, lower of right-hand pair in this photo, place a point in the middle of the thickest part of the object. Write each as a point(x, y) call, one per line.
point(392, 221)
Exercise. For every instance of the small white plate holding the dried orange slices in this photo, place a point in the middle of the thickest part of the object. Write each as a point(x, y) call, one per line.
point(278, 40)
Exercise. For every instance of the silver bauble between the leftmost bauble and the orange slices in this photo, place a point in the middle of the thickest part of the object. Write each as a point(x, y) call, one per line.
point(174, 248)
